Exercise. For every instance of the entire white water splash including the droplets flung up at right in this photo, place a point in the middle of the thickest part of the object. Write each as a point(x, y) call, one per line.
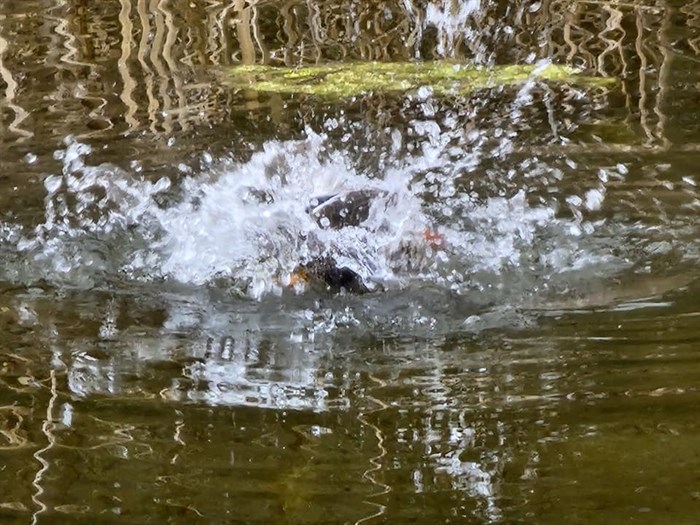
point(512, 227)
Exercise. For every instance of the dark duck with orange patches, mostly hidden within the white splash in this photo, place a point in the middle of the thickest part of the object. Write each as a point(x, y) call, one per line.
point(341, 210)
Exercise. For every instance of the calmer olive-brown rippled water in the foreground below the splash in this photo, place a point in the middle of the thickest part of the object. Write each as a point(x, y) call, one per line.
point(489, 427)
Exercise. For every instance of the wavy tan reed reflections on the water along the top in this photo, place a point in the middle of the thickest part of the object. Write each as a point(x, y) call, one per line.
point(107, 69)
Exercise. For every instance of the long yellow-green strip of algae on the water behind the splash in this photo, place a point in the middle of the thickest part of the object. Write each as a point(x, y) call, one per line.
point(441, 77)
